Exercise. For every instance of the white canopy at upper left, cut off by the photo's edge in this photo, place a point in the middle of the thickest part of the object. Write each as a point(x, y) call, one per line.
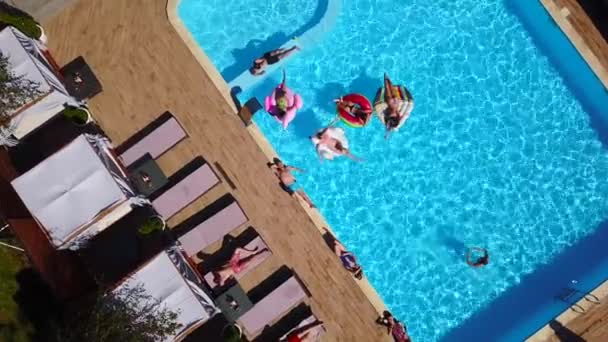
point(26, 59)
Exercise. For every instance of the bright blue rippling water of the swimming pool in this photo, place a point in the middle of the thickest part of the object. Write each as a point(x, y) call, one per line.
point(503, 150)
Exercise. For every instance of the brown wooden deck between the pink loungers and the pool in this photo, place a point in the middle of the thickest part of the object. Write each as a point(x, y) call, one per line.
point(145, 69)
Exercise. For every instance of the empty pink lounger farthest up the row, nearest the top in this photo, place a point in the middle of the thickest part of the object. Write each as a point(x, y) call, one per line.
point(157, 142)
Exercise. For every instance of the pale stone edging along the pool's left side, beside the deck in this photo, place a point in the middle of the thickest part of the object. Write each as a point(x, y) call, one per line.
point(219, 82)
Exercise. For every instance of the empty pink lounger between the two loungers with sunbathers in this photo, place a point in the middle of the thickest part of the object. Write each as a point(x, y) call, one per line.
point(273, 306)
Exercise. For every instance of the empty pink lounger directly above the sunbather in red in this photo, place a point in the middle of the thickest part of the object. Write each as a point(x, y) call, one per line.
point(213, 229)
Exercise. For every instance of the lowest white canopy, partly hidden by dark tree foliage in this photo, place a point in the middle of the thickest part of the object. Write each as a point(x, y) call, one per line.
point(170, 281)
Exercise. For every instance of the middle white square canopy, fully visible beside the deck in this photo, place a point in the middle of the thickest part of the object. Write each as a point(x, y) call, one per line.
point(77, 192)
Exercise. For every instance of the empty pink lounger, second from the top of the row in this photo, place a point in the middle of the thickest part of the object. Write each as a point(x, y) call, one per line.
point(185, 192)
